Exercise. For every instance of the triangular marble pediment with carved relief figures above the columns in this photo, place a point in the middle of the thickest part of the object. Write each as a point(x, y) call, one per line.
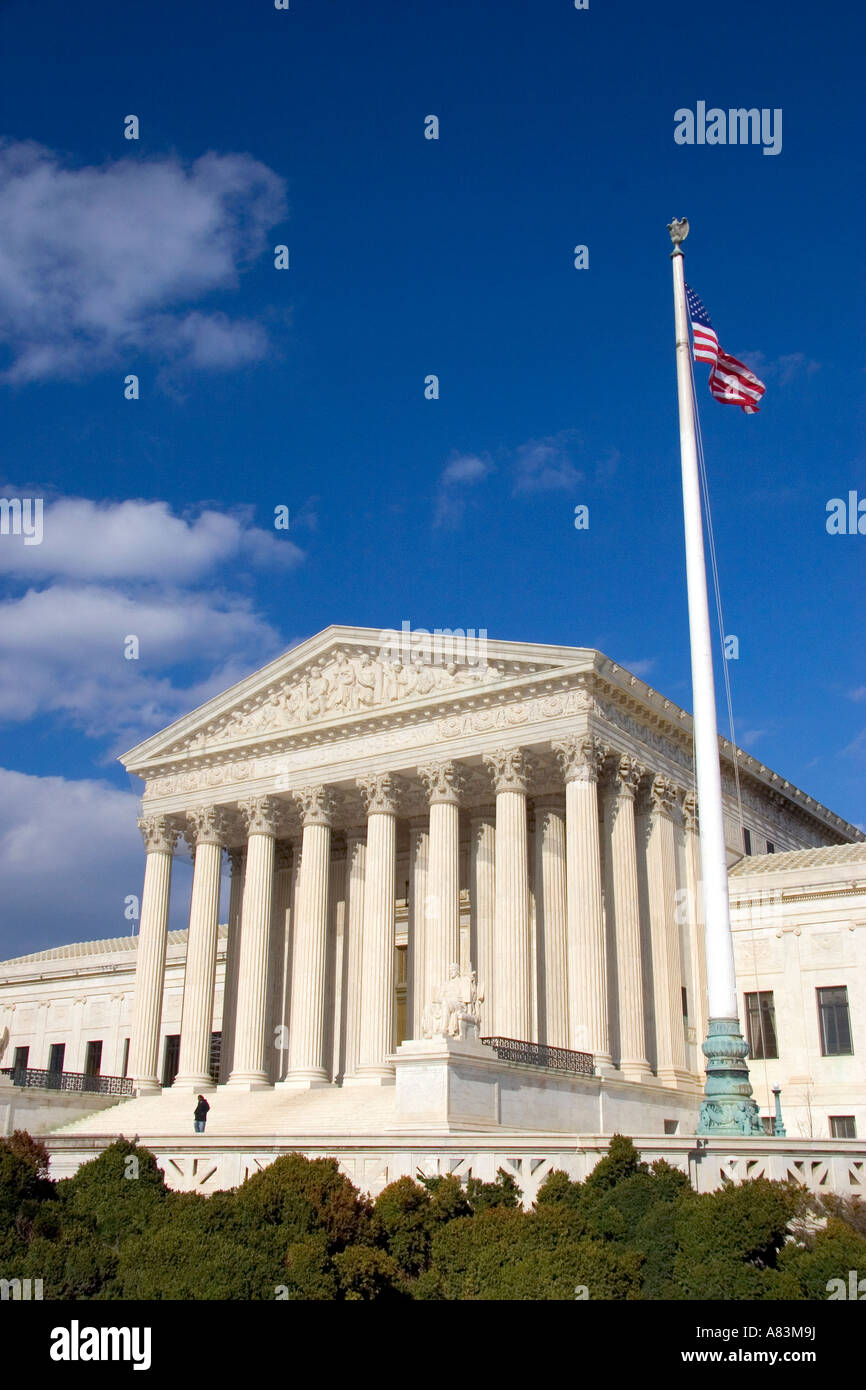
point(350, 675)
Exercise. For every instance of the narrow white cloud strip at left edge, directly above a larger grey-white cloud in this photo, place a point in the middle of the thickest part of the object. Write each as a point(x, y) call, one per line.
point(144, 541)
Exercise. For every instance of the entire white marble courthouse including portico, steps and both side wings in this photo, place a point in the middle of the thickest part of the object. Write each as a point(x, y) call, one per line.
point(373, 826)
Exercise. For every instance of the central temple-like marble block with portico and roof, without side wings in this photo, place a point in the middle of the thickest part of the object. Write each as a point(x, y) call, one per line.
point(393, 818)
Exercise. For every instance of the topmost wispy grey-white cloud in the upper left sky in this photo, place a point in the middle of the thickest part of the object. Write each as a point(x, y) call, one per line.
point(101, 263)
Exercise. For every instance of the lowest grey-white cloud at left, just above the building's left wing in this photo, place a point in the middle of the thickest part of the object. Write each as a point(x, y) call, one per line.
point(70, 856)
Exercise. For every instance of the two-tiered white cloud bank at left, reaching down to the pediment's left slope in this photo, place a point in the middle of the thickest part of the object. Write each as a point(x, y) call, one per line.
point(111, 572)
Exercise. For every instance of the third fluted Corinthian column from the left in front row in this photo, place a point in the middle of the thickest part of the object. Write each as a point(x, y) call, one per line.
point(250, 1071)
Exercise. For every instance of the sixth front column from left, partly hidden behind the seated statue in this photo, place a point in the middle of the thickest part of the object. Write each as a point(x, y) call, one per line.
point(444, 783)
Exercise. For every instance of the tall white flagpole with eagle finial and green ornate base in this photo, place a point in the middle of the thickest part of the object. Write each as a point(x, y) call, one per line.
point(728, 1106)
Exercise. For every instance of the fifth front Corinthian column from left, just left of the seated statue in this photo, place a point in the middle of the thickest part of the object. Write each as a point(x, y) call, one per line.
point(379, 933)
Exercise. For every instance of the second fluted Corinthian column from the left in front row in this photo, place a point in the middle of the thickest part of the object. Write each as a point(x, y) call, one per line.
point(206, 836)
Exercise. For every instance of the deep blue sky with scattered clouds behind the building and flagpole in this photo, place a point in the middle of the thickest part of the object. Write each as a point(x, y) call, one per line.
point(307, 387)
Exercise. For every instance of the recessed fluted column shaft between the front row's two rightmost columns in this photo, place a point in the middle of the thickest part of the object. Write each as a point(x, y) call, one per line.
point(553, 924)
